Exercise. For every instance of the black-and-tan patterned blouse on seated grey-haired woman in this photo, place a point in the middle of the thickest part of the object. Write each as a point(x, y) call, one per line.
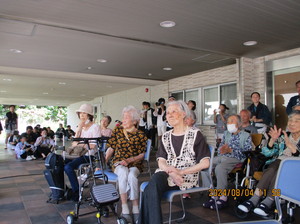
point(126, 148)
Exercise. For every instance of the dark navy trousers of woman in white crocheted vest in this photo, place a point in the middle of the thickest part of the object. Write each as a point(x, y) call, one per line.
point(150, 211)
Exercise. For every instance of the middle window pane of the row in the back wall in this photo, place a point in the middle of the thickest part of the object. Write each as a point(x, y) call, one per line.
point(211, 102)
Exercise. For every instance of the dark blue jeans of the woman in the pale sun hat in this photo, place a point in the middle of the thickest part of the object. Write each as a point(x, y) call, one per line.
point(70, 170)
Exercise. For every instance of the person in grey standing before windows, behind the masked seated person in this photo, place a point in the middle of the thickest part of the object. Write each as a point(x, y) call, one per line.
point(220, 120)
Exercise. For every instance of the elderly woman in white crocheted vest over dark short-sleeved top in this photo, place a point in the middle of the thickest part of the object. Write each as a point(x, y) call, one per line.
point(181, 155)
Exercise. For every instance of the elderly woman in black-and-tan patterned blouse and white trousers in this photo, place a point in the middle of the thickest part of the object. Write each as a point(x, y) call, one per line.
point(126, 148)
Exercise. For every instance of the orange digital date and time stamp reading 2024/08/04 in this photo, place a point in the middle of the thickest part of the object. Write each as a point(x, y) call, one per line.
point(240, 192)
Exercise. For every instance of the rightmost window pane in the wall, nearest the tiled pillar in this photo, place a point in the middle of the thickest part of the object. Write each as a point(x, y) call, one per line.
point(228, 96)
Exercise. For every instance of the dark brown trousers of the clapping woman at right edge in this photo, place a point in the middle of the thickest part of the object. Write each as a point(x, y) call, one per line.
point(267, 182)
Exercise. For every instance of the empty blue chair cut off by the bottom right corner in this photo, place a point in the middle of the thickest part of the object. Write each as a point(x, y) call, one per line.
point(287, 186)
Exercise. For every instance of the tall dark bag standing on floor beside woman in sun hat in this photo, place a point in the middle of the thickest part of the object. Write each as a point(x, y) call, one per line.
point(54, 175)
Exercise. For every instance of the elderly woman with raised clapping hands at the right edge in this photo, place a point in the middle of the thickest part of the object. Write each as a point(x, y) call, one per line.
point(286, 144)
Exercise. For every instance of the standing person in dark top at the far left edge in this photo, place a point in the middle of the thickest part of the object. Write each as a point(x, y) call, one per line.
point(11, 123)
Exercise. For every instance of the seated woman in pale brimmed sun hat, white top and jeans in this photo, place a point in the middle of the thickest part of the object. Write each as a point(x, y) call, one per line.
point(86, 129)
